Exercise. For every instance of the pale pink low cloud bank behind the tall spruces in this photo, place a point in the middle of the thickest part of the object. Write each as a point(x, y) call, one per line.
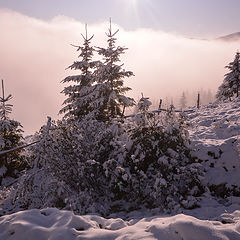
point(35, 54)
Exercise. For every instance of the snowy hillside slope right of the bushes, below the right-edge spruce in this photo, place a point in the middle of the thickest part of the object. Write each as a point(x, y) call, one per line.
point(215, 134)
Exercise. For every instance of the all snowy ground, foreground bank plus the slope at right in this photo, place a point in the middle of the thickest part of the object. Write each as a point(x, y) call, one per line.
point(215, 134)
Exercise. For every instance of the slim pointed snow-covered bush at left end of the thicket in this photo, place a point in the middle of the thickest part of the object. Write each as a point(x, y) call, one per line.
point(39, 187)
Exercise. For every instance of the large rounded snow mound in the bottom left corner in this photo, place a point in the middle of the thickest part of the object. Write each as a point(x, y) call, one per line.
point(43, 224)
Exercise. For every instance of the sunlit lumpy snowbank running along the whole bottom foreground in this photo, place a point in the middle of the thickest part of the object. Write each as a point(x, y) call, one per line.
point(55, 224)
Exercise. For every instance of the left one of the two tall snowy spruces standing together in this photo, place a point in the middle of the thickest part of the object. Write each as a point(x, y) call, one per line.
point(81, 95)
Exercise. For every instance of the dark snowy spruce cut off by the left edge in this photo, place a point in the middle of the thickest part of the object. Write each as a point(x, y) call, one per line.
point(10, 137)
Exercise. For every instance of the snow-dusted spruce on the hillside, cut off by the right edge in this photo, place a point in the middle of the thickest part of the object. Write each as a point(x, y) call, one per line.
point(231, 83)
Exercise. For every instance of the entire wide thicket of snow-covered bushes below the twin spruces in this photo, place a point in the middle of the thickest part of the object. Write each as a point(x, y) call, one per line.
point(104, 167)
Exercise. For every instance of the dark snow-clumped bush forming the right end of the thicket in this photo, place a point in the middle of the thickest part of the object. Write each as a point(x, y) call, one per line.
point(163, 173)
